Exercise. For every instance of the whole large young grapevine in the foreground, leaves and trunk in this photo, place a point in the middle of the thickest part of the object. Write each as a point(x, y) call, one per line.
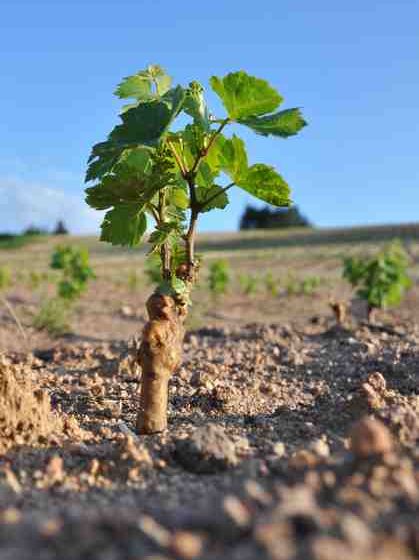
point(167, 162)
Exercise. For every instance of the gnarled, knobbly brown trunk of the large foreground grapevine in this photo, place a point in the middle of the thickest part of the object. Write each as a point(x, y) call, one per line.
point(159, 355)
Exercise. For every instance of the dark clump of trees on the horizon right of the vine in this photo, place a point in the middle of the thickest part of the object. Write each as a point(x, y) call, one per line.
point(267, 218)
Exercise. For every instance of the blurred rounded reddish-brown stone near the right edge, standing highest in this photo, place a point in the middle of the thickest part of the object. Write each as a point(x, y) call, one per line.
point(370, 437)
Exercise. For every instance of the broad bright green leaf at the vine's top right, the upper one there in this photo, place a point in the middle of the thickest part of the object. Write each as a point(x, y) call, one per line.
point(244, 95)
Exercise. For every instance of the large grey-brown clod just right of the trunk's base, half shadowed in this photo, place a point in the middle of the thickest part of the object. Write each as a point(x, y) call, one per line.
point(208, 450)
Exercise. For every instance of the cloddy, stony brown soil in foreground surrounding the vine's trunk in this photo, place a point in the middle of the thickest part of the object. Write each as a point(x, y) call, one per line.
point(285, 443)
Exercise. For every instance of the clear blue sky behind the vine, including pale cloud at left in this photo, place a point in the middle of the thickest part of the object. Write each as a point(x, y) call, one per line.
point(352, 66)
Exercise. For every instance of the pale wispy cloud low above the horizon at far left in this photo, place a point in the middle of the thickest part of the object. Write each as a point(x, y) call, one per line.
point(25, 202)
